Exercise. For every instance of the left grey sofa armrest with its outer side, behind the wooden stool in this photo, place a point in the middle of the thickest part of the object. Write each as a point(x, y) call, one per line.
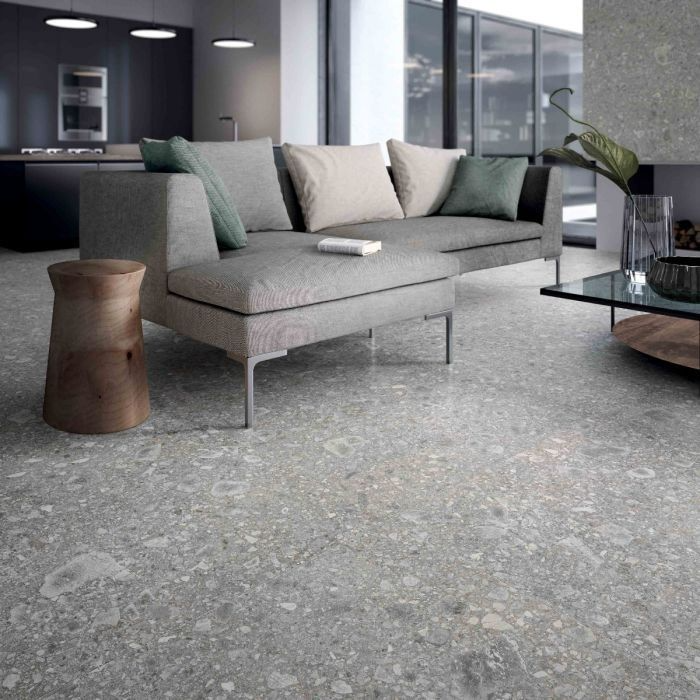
point(159, 219)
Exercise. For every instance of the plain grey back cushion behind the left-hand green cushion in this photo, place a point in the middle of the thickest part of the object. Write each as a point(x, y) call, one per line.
point(248, 170)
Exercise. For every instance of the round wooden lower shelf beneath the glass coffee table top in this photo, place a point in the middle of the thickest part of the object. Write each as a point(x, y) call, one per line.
point(675, 340)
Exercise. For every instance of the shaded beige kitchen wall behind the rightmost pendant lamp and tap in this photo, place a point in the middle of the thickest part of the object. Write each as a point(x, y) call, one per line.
point(243, 83)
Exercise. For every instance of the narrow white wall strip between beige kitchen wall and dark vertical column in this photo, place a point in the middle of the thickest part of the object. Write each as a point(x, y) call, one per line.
point(299, 71)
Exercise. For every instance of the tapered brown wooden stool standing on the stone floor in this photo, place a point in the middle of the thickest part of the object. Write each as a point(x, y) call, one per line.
point(96, 376)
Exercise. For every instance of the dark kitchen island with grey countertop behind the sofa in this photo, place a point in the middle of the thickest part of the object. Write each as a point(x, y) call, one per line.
point(40, 196)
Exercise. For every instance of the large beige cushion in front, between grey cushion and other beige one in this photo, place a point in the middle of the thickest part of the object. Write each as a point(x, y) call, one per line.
point(338, 185)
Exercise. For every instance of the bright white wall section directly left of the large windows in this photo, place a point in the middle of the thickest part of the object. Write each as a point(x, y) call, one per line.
point(377, 71)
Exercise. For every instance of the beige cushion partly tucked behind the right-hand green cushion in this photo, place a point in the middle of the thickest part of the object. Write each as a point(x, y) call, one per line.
point(422, 176)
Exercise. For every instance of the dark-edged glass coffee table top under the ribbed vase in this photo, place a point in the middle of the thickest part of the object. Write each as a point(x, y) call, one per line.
point(614, 289)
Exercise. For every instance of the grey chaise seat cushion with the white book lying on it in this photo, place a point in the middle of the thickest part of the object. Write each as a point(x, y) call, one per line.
point(284, 270)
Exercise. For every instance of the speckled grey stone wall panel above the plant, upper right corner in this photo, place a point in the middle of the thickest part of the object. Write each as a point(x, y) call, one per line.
point(642, 75)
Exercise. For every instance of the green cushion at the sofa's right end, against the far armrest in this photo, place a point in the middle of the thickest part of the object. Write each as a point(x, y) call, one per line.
point(488, 187)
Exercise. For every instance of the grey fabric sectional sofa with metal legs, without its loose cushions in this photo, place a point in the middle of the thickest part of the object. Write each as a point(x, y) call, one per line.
point(279, 292)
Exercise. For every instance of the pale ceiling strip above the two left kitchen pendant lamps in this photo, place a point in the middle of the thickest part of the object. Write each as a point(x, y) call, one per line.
point(177, 12)
